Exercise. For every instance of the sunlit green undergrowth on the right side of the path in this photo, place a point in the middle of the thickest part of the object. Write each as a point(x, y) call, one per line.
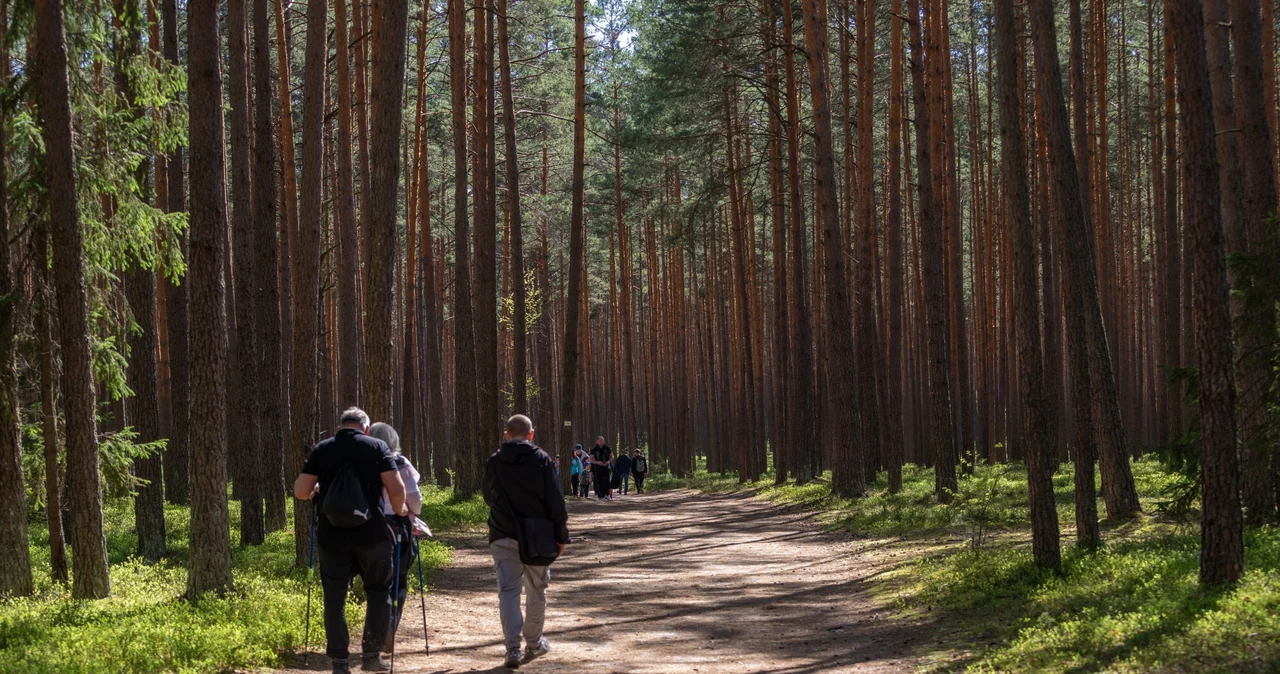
point(1133, 606)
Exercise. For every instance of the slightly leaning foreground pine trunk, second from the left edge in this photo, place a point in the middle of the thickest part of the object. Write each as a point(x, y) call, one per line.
point(89, 539)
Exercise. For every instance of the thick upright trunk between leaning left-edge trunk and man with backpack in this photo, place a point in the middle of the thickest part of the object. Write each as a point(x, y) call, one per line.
point(211, 566)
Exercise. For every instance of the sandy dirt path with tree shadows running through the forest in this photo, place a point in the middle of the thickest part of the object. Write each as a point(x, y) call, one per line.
point(678, 583)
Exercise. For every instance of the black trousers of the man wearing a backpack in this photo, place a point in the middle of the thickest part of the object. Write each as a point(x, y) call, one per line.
point(339, 566)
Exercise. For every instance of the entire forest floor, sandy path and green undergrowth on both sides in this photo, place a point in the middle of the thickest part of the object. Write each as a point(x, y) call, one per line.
point(712, 576)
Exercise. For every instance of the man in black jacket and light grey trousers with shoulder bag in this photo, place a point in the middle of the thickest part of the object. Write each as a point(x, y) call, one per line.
point(520, 483)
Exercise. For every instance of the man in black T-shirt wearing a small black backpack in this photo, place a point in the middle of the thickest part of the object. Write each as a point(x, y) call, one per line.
point(349, 474)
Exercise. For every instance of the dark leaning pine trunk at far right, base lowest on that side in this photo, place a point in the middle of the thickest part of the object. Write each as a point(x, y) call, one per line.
point(1222, 521)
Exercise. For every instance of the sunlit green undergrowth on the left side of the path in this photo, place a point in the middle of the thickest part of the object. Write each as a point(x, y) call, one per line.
point(147, 625)
